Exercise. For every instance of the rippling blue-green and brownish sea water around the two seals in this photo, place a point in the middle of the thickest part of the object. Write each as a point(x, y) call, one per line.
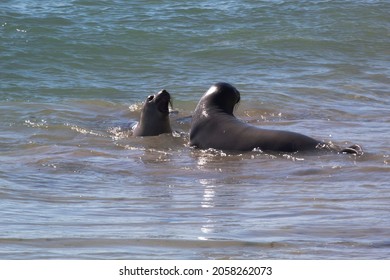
point(75, 184)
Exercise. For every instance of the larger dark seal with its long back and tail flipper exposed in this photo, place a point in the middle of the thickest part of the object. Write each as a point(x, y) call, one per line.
point(214, 126)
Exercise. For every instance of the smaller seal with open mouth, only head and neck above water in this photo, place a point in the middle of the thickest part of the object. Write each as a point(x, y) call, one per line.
point(154, 118)
